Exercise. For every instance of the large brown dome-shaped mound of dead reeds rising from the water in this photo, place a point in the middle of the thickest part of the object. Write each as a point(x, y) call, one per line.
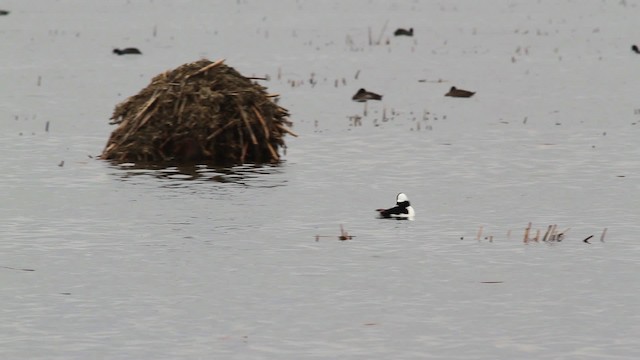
point(199, 112)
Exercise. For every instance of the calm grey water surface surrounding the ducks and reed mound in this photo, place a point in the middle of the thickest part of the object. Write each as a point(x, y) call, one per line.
point(106, 261)
